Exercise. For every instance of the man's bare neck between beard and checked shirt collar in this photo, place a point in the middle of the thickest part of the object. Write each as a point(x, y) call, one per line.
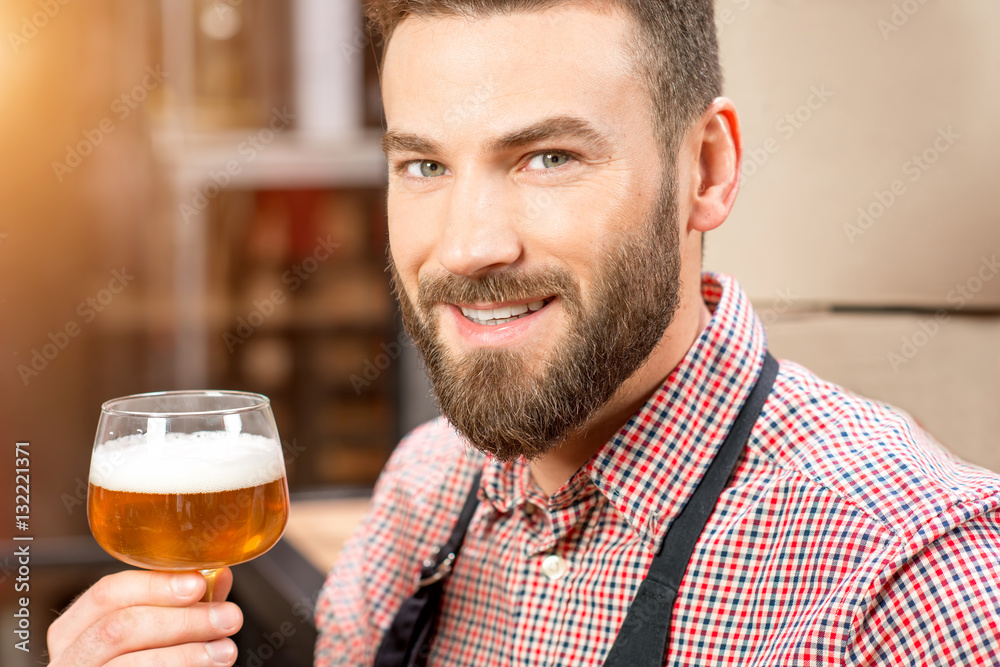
point(555, 468)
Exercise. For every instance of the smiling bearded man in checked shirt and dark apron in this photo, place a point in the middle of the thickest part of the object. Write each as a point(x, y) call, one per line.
point(553, 167)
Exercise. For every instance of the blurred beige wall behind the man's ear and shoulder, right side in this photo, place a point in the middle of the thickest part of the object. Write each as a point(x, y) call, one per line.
point(867, 228)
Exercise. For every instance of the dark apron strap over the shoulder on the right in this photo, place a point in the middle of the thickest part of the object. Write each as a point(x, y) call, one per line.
point(642, 639)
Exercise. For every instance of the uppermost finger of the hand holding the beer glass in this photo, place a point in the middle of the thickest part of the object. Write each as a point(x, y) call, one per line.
point(121, 590)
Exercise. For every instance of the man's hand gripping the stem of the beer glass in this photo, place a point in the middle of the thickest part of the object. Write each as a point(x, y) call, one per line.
point(138, 618)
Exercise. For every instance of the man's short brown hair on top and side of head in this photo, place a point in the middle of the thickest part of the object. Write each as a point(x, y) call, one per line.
point(676, 47)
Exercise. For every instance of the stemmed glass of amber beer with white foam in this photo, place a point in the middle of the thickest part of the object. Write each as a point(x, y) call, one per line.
point(187, 480)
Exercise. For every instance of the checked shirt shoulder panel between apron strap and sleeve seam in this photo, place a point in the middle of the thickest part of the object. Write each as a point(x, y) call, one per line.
point(872, 456)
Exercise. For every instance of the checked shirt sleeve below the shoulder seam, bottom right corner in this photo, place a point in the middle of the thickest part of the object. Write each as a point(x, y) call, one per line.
point(939, 607)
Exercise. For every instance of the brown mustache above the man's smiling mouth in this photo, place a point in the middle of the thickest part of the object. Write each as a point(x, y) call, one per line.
point(503, 285)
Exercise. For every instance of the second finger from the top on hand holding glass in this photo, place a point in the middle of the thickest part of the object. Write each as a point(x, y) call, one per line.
point(136, 629)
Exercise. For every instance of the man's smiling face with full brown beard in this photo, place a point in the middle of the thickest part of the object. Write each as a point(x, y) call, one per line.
point(533, 232)
